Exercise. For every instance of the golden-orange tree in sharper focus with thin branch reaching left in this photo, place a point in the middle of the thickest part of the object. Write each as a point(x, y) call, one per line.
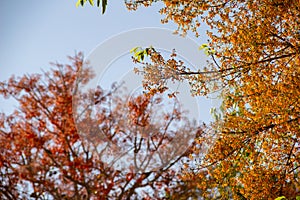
point(254, 47)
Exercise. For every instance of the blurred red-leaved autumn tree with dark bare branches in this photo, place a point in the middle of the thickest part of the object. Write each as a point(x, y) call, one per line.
point(49, 150)
